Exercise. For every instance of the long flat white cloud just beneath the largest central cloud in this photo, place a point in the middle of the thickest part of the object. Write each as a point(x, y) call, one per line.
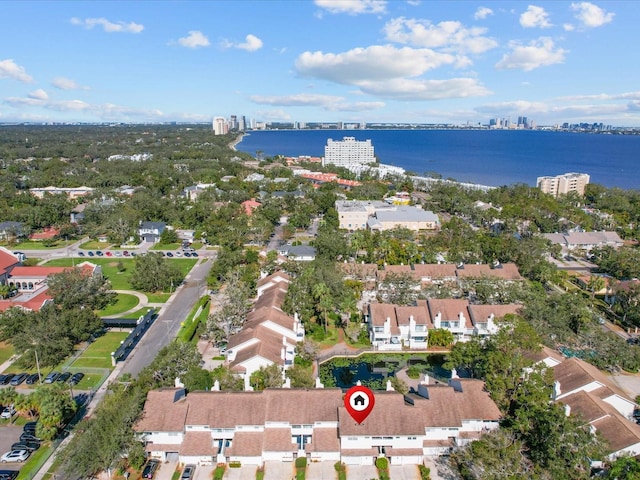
point(416, 90)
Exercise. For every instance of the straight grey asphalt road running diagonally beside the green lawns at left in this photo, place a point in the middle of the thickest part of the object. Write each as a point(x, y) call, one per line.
point(166, 325)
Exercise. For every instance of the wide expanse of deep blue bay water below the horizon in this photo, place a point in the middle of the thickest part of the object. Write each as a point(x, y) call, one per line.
point(495, 157)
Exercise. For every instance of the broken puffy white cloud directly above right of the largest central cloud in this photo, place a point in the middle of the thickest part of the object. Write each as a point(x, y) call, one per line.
point(448, 35)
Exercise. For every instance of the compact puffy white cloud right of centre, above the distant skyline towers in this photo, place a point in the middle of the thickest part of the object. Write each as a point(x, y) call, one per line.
point(539, 53)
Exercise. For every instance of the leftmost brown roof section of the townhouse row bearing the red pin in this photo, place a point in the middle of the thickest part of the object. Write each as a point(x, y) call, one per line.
point(162, 413)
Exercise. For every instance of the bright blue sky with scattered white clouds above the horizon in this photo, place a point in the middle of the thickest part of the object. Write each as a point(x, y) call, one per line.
point(354, 61)
